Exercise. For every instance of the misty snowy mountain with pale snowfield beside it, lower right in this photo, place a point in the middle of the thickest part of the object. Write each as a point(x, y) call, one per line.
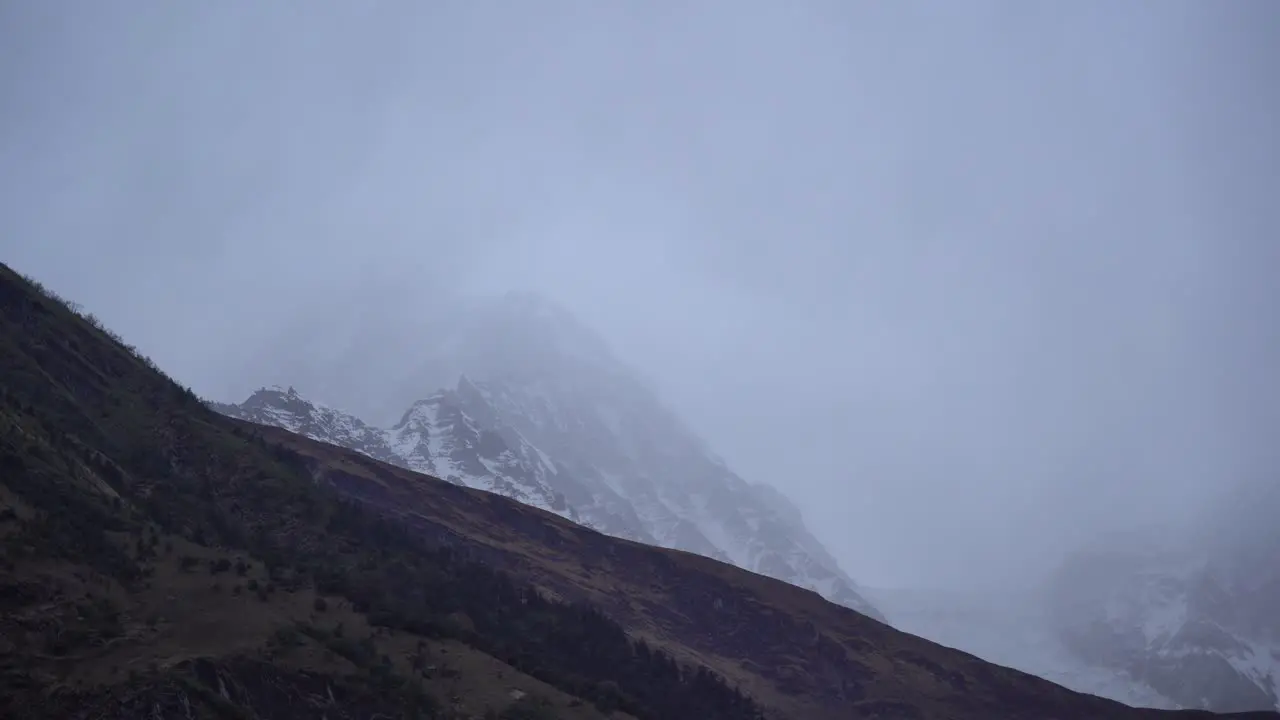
point(1177, 616)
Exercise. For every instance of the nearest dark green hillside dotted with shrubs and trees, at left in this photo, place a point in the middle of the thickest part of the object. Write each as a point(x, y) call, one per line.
point(156, 555)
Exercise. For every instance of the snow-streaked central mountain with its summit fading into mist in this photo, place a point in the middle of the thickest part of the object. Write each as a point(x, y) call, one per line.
point(538, 408)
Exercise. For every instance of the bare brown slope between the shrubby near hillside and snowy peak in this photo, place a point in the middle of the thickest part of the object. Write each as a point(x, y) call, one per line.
point(787, 646)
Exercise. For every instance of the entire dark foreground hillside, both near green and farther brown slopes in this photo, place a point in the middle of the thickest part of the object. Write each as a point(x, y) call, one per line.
point(162, 560)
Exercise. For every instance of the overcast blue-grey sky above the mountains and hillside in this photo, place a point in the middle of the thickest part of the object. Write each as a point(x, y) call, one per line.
point(972, 281)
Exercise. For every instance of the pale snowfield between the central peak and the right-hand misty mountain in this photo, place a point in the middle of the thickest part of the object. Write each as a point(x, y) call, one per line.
point(1013, 631)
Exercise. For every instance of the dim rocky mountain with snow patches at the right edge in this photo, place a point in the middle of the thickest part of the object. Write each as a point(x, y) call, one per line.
point(1196, 619)
